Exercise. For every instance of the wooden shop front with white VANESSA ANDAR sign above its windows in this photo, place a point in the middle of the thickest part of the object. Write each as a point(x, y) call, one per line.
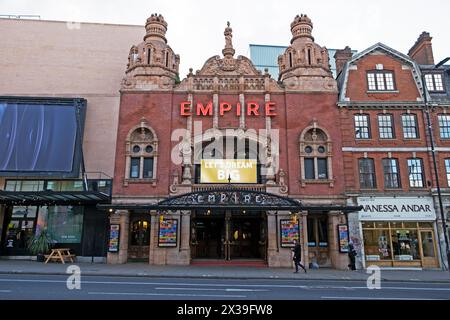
point(399, 232)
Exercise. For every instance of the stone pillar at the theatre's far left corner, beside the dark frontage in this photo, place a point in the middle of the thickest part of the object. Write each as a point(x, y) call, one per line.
point(121, 217)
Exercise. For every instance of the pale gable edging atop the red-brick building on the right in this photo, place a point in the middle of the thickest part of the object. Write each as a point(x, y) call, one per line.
point(343, 76)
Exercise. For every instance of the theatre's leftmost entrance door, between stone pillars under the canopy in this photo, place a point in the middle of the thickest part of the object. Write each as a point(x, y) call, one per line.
point(139, 238)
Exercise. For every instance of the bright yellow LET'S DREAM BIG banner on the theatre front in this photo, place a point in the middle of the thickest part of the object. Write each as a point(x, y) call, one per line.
point(228, 171)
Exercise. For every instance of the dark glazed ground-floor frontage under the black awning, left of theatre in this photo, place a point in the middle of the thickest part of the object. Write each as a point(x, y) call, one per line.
point(61, 208)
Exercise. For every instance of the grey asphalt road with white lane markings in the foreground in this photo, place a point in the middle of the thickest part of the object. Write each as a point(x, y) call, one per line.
point(28, 287)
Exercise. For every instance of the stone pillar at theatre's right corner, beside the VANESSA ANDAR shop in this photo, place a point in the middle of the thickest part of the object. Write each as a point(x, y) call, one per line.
point(338, 260)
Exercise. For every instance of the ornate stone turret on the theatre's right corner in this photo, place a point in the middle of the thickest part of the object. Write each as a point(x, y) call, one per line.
point(304, 66)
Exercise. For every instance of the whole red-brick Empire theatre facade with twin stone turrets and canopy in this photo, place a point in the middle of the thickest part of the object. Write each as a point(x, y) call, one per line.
point(228, 165)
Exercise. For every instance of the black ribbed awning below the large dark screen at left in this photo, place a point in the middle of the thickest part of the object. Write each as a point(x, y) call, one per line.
point(53, 198)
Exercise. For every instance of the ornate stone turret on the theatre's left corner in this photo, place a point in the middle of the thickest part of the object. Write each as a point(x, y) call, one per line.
point(152, 64)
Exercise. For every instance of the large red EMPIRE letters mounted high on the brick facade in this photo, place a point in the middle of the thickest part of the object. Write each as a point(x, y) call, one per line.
point(251, 109)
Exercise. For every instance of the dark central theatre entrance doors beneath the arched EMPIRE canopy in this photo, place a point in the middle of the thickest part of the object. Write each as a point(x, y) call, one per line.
point(229, 235)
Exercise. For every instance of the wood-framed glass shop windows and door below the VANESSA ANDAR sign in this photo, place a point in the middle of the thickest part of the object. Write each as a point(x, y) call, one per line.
point(399, 243)
